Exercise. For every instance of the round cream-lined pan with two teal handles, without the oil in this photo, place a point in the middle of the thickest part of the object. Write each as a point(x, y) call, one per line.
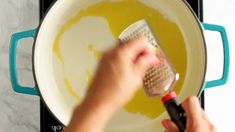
point(49, 84)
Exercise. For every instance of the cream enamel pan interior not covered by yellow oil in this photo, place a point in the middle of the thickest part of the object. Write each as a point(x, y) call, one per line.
point(51, 84)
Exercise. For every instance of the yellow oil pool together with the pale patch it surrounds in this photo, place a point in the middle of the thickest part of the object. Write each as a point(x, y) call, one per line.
point(82, 39)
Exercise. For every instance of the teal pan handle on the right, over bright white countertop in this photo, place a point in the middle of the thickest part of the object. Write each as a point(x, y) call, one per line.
point(223, 34)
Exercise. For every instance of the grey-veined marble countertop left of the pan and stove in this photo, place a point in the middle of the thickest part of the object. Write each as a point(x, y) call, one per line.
point(18, 113)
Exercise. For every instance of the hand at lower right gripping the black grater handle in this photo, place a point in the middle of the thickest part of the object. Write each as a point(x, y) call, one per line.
point(197, 121)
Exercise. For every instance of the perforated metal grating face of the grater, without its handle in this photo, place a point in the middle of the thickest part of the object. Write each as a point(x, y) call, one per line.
point(160, 78)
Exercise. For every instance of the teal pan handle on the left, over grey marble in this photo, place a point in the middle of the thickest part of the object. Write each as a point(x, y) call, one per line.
point(12, 62)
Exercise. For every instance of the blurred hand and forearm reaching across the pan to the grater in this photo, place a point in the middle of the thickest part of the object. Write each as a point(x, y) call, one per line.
point(118, 76)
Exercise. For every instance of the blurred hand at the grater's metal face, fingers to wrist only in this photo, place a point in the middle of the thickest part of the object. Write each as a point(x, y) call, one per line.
point(120, 72)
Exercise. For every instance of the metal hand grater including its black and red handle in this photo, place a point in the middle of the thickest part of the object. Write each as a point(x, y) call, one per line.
point(159, 79)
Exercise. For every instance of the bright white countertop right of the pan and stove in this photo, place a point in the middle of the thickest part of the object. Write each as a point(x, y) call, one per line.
point(220, 105)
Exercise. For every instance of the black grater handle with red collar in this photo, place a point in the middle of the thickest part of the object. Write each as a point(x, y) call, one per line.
point(175, 111)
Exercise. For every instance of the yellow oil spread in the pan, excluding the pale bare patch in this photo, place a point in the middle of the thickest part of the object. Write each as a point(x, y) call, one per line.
point(119, 15)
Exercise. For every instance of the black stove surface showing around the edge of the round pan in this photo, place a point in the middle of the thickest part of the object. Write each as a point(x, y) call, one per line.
point(47, 122)
